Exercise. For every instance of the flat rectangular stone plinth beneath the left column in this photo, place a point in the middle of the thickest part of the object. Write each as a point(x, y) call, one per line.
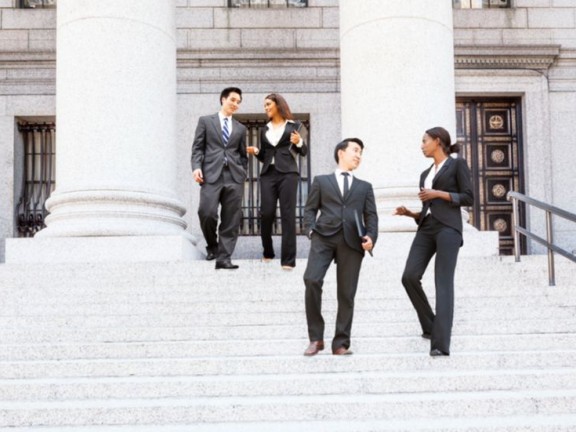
point(101, 249)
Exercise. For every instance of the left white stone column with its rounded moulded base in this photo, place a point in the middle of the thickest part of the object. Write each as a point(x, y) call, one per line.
point(116, 125)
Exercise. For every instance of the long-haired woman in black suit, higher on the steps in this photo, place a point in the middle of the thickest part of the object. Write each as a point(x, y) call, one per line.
point(280, 146)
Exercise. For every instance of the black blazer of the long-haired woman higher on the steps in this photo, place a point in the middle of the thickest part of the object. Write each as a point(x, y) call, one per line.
point(284, 160)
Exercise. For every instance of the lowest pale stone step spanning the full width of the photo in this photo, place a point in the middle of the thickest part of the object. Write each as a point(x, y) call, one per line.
point(288, 408)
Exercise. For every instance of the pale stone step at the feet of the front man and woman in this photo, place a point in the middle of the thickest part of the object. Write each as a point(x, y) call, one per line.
point(266, 347)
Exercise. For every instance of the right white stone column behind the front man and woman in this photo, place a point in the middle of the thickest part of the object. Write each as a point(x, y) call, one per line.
point(397, 78)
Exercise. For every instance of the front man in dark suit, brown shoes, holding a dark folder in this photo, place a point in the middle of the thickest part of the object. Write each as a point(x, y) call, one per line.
point(341, 200)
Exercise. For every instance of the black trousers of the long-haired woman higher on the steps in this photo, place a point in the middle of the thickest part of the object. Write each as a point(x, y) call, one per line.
point(276, 186)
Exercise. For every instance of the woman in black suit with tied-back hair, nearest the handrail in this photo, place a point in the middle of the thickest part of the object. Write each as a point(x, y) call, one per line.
point(444, 188)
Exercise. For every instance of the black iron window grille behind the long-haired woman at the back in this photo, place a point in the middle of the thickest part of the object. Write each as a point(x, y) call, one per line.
point(250, 224)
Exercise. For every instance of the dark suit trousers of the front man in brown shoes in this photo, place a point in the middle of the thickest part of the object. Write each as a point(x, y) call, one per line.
point(323, 250)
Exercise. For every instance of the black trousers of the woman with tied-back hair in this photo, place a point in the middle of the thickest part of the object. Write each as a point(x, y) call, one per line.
point(432, 238)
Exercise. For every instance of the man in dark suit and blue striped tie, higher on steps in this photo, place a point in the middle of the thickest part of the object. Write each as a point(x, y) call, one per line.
point(219, 163)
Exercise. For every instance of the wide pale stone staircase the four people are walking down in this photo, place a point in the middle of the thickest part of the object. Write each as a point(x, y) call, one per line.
point(173, 347)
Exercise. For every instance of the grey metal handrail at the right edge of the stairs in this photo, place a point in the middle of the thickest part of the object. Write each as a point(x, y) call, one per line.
point(550, 210)
